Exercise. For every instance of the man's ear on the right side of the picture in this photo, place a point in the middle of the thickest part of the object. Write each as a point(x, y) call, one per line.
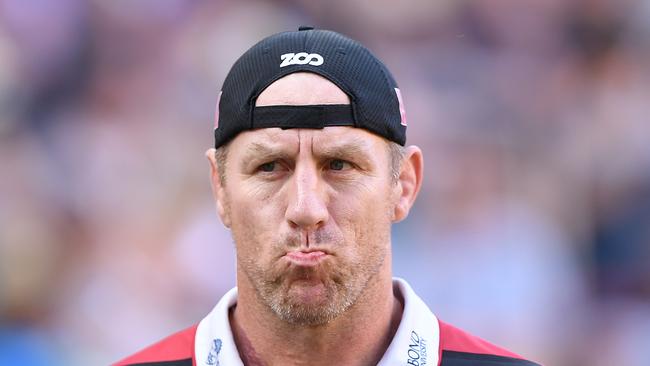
point(409, 182)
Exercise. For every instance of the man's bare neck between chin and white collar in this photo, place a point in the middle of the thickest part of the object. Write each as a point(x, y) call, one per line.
point(360, 336)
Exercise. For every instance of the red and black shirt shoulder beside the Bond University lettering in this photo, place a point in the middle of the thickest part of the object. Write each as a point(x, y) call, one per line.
point(459, 348)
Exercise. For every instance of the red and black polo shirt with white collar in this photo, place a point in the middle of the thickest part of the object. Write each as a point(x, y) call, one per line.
point(421, 340)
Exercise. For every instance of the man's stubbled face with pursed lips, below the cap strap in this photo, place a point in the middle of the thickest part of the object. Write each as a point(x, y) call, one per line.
point(310, 212)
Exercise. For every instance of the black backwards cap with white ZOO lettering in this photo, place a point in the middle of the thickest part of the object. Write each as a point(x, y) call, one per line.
point(376, 102)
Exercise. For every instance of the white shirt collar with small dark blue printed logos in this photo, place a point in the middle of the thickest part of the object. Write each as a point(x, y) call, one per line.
point(417, 337)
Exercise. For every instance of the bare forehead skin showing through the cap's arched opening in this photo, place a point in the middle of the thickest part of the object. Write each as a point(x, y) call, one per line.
point(302, 88)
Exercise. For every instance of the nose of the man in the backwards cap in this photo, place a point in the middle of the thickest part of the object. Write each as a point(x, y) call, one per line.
point(307, 206)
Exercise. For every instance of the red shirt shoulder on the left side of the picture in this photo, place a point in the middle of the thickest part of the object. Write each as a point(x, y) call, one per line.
point(175, 350)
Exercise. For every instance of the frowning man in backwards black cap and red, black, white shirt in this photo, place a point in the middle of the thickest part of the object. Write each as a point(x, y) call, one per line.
point(309, 173)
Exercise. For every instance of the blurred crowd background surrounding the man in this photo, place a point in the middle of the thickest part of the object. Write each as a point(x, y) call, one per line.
point(532, 228)
